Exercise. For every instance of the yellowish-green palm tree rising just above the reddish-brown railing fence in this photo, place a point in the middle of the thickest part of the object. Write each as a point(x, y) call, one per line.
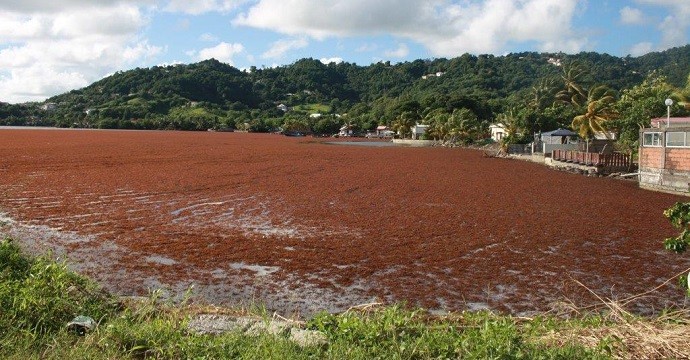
point(598, 109)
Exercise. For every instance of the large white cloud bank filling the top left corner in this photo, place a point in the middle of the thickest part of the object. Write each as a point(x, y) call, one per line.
point(47, 49)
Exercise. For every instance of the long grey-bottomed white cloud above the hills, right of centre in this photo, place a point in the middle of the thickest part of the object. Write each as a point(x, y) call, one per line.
point(447, 28)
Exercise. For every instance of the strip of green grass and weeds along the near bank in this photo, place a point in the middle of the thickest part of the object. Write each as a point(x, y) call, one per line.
point(38, 297)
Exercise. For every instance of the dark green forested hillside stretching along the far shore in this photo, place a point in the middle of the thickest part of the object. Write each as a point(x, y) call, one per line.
point(462, 94)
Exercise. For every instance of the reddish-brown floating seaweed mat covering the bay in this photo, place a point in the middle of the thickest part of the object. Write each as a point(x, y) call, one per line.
point(304, 226)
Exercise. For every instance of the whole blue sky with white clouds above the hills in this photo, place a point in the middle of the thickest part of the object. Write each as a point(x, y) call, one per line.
point(49, 47)
